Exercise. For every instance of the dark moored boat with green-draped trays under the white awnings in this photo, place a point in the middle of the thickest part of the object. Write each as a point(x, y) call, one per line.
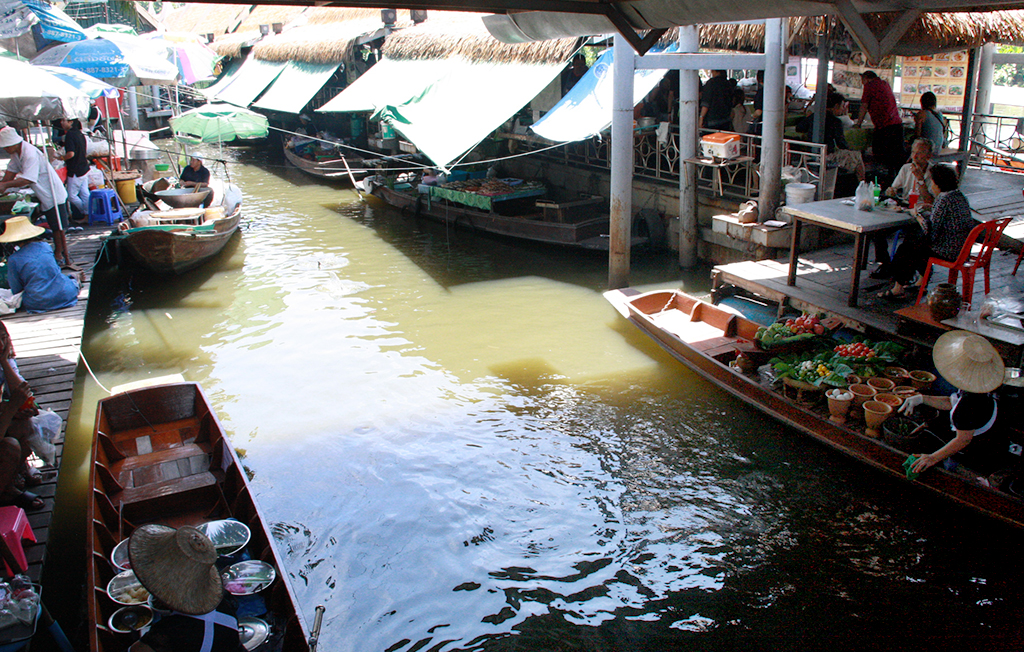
point(580, 223)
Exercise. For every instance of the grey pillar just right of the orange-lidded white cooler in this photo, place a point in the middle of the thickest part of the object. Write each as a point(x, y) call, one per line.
point(775, 116)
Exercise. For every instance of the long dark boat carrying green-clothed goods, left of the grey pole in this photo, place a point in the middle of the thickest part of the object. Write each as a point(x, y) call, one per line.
point(582, 224)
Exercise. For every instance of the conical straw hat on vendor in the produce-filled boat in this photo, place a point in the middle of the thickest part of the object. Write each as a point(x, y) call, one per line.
point(968, 362)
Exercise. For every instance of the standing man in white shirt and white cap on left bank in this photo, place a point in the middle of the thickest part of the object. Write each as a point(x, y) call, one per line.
point(29, 167)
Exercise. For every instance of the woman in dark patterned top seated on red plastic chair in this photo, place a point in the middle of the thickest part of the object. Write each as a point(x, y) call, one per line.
point(942, 235)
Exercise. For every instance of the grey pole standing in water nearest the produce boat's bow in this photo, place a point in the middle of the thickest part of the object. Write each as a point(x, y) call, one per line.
point(622, 165)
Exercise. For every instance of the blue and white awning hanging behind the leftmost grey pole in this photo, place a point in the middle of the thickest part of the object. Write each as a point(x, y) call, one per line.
point(586, 110)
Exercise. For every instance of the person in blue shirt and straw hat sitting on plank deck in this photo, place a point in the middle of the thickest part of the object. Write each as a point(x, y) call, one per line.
point(33, 272)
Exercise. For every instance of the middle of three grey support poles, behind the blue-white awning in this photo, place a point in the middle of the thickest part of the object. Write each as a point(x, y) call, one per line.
point(690, 86)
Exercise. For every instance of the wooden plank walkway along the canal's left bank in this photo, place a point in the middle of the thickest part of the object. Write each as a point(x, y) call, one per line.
point(48, 346)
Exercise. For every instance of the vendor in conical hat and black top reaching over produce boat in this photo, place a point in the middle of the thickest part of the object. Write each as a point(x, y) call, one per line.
point(971, 364)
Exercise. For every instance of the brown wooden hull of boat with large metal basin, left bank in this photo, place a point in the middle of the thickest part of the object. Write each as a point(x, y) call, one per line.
point(175, 249)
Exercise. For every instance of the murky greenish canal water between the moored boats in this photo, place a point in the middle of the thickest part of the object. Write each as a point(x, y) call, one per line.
point(462, 447)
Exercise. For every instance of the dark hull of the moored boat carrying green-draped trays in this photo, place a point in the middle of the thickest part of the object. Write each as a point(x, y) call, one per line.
point(591, 234)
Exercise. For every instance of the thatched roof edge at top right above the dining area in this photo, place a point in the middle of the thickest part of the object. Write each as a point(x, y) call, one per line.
point(931, 34)
